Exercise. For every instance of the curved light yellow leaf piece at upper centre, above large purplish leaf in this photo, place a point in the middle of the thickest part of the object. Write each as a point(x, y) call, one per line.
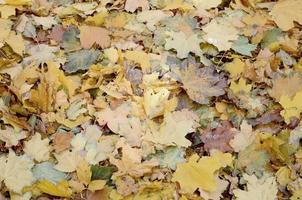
point(139, 57)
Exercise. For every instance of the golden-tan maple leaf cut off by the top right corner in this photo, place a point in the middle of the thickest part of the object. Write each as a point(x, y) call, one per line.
point(284, 13)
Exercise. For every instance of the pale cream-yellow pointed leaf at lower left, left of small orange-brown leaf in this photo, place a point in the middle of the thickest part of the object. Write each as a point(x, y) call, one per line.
point(37, 148)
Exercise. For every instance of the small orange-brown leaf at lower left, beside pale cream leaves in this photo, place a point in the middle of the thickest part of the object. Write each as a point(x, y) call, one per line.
point(61, 141)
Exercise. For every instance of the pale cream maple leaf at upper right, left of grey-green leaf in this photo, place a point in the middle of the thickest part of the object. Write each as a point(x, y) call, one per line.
point(222, 41)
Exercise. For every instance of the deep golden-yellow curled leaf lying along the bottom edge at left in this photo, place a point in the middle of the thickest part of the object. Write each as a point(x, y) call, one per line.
point(61, 189)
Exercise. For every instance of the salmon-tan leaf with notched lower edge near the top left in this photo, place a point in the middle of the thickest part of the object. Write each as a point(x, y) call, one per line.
point(92, 34)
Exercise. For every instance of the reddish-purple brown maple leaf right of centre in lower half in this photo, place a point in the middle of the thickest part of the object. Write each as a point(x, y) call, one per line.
point(219, 137)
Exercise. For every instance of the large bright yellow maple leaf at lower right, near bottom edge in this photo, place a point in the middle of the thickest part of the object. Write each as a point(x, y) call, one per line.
point(201, 172)
